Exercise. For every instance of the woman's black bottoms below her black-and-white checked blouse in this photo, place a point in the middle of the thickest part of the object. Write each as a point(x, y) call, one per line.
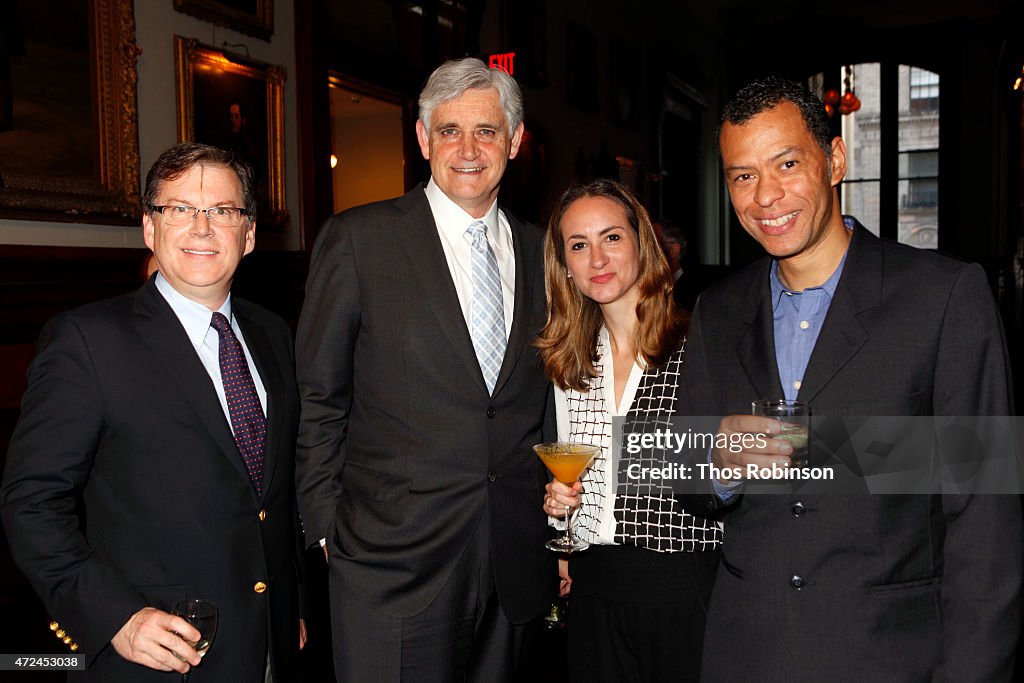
point(638, 616)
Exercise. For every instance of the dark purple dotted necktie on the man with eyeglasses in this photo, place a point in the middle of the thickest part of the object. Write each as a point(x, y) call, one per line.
point(248, 422)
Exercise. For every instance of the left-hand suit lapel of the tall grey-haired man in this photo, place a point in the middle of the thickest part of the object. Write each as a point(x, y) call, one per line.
point(417, 233)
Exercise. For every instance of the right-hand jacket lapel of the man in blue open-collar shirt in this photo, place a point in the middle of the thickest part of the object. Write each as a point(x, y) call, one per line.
point(842, 334)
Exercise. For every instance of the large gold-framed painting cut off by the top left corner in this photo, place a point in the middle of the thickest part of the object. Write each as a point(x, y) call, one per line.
point(69, 132)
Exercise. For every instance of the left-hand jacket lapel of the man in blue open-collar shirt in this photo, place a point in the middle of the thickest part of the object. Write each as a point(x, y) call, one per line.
point(756, 349)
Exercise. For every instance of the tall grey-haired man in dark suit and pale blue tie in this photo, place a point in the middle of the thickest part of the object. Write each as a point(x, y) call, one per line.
point(421, 399)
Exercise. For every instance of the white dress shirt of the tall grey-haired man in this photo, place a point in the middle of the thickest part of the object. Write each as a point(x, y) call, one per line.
point(452, 223)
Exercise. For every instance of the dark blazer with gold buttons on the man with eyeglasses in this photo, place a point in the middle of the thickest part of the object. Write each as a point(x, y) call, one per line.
point(121, 418)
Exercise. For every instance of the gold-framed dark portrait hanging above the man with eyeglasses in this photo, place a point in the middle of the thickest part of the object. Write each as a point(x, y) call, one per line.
point(232, 102)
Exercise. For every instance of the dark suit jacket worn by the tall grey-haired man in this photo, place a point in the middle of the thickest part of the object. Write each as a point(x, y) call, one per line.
point(402, 451)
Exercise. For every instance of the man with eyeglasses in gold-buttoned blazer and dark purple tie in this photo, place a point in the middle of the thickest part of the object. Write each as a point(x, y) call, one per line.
point(154, 458)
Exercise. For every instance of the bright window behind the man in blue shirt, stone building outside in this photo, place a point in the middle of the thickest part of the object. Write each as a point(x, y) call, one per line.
point(892, 144)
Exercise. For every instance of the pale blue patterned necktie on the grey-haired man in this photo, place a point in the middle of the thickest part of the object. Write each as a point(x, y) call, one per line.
point(488, 325)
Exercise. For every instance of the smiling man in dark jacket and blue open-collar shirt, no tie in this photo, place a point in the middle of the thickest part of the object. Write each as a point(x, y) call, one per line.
point(846, 587)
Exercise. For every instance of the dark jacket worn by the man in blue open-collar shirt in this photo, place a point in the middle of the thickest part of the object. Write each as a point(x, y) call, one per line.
point(864, 588)
